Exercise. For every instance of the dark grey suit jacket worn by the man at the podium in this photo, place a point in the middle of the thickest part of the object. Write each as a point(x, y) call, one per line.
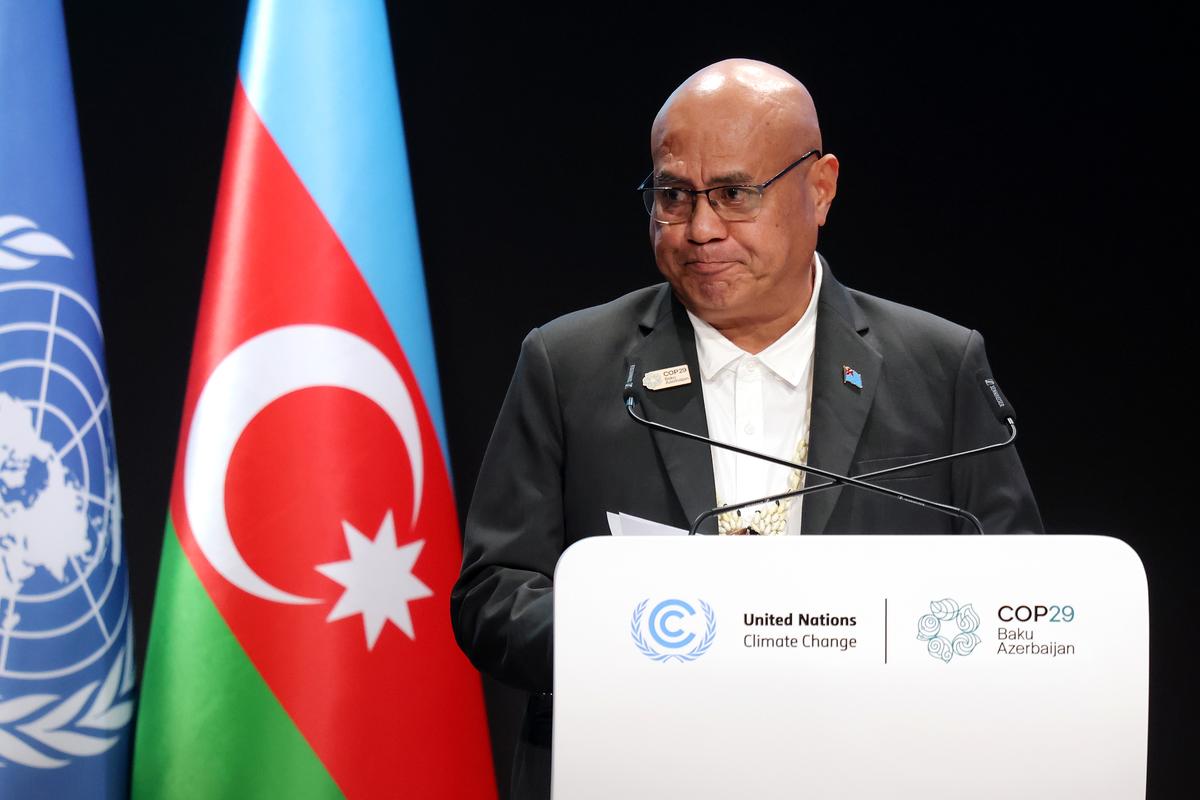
point(565, 453)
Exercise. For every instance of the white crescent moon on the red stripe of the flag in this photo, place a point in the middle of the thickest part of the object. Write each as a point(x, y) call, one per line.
point(248, 381)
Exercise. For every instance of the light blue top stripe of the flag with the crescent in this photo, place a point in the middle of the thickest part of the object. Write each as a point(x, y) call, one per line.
point(321, 77)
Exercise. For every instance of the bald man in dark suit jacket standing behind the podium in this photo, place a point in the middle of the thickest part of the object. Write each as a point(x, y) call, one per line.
point(752, 341)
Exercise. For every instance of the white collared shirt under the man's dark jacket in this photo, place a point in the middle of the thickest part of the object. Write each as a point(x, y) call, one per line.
point(759, 402)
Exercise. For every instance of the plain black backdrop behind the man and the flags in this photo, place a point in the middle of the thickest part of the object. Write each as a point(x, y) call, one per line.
point(1024, 173)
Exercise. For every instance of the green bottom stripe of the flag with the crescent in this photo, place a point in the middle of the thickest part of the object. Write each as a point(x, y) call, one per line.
point(208, 725)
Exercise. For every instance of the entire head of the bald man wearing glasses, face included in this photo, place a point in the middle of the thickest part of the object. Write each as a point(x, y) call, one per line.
point(742, 125)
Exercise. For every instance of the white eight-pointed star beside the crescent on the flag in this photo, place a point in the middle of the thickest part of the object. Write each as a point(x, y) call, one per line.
point(379, 580)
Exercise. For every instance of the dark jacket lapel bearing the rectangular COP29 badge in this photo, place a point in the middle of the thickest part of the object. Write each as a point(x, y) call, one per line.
point(670, 341)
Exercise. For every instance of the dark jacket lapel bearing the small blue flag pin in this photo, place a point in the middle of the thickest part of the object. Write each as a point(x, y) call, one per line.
point(839, 411)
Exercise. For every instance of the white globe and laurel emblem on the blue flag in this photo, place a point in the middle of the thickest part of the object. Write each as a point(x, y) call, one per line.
point(67, 666)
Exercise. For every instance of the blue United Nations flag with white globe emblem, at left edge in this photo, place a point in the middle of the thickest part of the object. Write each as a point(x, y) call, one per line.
point(67, 661)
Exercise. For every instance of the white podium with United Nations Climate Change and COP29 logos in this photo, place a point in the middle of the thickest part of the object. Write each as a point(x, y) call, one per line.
point(932, 667)
